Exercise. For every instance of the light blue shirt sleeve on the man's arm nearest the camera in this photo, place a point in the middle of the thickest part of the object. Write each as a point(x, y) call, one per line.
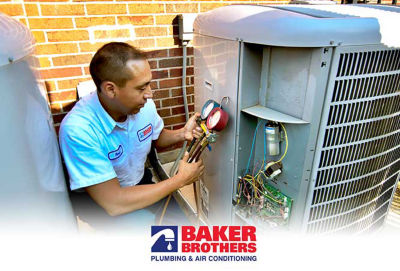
point(87, 164)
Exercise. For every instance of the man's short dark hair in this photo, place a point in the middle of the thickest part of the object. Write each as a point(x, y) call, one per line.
point(109, 63)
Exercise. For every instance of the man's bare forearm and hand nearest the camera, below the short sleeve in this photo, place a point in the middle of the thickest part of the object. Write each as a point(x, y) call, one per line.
point(117, 200)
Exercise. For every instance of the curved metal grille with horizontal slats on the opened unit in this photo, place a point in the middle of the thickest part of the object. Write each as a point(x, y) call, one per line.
point(360, 152)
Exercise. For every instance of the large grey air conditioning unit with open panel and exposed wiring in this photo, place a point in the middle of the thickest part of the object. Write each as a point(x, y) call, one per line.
point(313, 140)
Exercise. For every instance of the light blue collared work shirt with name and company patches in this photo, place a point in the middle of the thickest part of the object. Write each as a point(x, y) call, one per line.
point(96, 148)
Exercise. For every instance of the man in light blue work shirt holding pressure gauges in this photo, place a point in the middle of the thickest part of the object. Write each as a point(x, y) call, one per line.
point(106, 137)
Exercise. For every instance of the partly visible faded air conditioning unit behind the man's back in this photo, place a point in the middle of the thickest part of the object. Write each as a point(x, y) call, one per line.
point(33, 192)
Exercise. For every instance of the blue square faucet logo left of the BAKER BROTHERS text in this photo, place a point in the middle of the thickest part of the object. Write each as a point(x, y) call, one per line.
point(164, 238)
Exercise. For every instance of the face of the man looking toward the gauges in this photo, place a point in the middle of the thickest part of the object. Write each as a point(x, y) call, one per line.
point(136, 91)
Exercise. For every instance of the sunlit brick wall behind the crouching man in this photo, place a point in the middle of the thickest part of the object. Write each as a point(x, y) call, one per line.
point(68, 33)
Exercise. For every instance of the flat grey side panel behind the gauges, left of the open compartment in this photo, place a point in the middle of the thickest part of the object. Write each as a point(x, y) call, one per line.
point(216, 76)
